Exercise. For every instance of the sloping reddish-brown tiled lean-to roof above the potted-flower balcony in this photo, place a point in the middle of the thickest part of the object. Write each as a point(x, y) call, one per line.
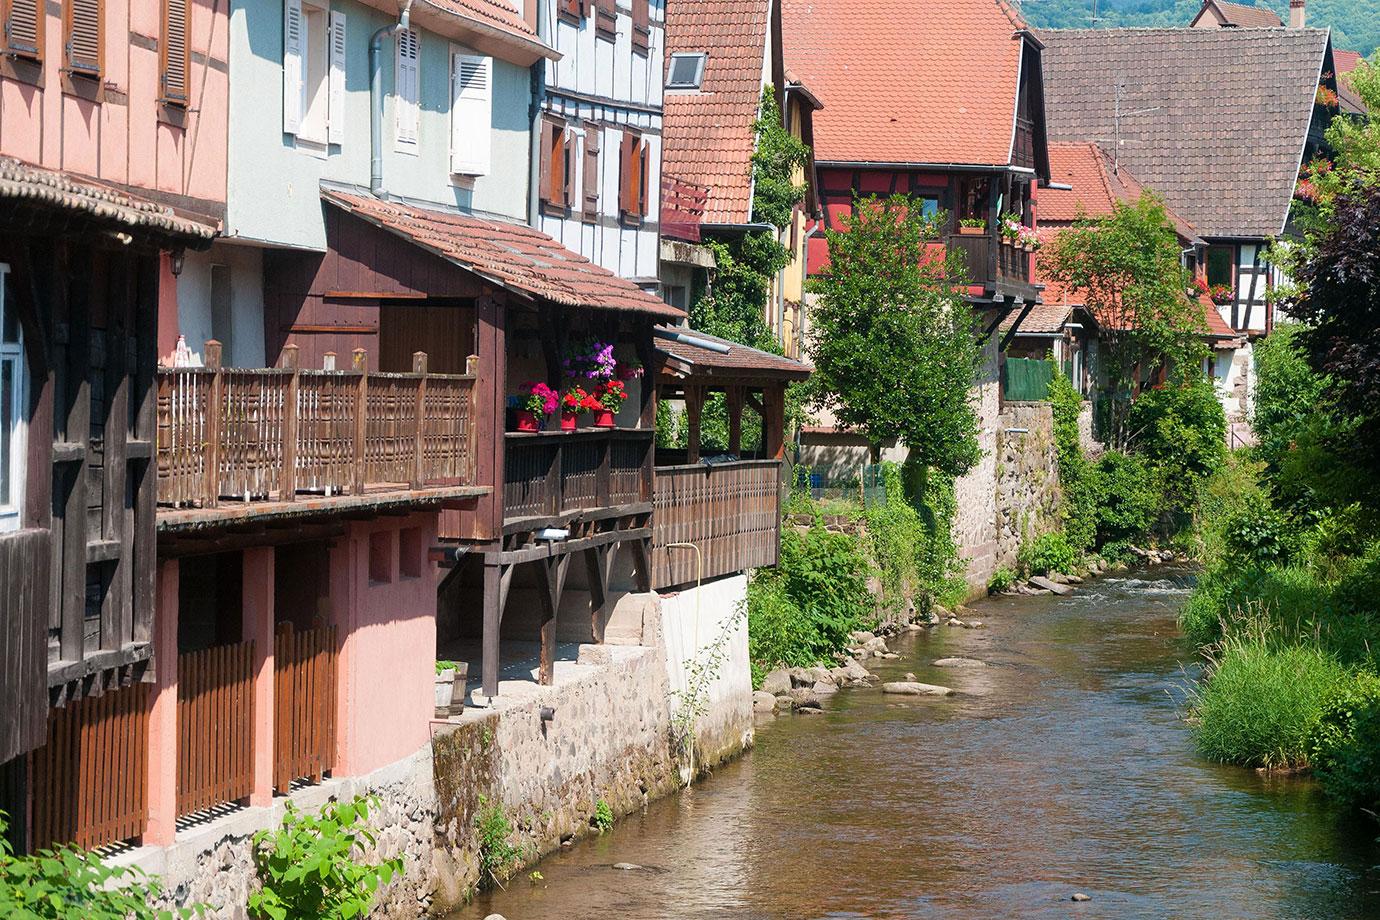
point(511, 256)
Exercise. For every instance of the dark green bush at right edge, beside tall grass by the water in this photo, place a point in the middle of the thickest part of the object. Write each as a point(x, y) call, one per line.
point(1346, 744)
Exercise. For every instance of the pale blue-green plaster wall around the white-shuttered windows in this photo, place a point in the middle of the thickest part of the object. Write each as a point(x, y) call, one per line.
point(275, 180)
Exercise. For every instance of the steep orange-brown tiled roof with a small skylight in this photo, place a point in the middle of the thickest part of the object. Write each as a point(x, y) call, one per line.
point(707, 136)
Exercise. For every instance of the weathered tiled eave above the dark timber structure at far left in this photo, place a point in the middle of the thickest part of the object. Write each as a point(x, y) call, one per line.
point(27, 186)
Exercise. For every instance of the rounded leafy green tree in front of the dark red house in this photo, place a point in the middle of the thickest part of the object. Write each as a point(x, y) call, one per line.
point(895, 346)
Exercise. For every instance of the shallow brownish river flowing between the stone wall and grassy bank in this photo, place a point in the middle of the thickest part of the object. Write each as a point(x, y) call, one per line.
point(1063, 766)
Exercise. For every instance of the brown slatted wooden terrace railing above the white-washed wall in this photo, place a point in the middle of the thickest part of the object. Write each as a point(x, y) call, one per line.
point(731, 511)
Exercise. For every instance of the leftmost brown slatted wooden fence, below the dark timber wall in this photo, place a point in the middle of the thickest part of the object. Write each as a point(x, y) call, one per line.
point(90, 781)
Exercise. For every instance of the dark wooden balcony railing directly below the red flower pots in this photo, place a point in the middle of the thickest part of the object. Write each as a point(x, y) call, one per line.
point(550, 474)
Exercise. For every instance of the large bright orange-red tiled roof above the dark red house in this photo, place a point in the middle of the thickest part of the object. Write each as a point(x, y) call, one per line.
point(909, 81)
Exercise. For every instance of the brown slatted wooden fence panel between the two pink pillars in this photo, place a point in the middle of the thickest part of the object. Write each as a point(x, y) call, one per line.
point(215, 726)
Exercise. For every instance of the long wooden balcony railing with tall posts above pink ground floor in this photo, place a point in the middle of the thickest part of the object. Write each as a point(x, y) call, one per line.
point(270, 434)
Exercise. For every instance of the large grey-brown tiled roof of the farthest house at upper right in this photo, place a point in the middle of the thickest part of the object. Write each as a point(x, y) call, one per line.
point(1222, 115)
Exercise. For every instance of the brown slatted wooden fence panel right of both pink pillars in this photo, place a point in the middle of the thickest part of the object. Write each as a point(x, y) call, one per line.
point(304, 718)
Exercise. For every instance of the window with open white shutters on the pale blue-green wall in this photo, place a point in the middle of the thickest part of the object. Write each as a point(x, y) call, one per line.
point(314, 72)
